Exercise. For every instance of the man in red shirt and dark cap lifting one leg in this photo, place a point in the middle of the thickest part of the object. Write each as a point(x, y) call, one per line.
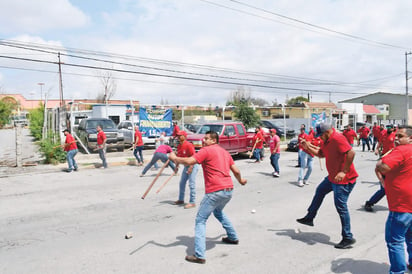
point(341, 178)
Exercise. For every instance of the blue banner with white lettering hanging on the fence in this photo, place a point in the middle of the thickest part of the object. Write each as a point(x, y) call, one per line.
point(155, 121)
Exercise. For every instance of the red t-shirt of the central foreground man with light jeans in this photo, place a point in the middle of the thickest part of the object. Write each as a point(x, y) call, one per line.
point(216, 163)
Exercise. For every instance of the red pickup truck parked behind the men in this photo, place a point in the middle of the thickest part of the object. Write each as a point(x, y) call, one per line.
point(232, 136)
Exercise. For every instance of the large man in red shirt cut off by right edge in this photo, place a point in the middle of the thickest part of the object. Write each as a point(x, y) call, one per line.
point(396, 166)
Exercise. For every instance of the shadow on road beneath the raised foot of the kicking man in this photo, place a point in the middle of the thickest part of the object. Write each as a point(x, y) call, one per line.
point(310, 238)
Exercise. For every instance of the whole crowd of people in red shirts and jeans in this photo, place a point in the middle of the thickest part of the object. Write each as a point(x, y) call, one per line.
point(393, 170)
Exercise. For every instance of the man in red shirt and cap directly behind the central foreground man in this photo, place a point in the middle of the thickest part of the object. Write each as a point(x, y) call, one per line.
point(186, 149)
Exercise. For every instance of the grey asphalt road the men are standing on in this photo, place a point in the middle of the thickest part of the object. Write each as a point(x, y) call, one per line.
point(58, 222)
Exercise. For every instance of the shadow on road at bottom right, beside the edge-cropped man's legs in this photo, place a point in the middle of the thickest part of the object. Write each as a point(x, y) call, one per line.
point(348, 265)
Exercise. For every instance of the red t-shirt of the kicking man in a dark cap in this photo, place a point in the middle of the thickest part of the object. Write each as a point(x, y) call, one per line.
point(334, 149)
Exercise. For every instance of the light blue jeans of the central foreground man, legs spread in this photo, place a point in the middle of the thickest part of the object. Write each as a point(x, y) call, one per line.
point(212, 203)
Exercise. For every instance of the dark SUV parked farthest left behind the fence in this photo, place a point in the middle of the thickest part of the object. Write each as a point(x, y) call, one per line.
point(87, 133)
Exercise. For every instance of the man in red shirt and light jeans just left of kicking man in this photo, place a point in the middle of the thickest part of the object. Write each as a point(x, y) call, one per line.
point(306, 159)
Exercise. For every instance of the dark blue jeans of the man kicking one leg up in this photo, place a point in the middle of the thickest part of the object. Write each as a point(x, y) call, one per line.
point(340, 197)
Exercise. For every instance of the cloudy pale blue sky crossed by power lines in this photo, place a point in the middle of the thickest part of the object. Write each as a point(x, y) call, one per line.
point(196, 52)
